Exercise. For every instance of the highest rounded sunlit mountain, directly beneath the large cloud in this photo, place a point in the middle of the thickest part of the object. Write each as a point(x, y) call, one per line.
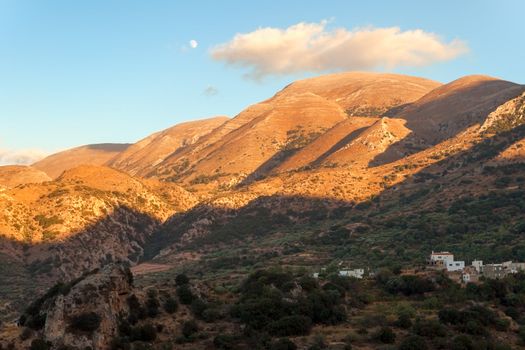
point(270, 132)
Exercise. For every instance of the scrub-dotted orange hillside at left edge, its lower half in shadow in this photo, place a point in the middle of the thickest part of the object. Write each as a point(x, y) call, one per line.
point(88, 217)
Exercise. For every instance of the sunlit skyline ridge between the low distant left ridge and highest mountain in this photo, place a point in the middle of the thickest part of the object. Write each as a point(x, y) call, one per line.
point(142, 157)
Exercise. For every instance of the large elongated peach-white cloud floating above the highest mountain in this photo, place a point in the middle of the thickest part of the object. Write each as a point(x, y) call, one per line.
point(311, 47)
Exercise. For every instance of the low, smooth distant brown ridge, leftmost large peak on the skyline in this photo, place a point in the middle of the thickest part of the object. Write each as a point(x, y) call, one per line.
point(96, 154)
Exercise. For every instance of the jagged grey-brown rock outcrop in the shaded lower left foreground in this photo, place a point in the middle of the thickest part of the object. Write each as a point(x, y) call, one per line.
point(83, 314)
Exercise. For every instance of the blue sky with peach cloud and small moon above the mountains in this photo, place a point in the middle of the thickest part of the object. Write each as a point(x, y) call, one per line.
point(82, 72)
